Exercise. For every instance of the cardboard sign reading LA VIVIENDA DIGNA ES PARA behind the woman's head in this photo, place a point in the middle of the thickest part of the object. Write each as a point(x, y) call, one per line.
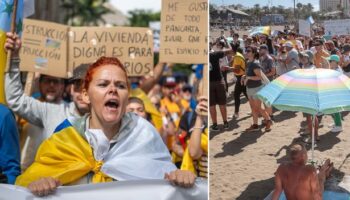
point(132, 46)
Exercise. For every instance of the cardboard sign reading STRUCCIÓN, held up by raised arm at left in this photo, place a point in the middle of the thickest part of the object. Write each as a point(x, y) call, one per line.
point(44, 48)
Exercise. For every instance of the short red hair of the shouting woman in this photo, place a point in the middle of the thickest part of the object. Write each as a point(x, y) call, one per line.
point(99, 63)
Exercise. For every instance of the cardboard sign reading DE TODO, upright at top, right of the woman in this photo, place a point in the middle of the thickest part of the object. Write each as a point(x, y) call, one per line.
point(184, 31)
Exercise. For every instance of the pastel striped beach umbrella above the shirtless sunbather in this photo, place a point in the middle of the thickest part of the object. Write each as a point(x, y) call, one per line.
point(310, 91)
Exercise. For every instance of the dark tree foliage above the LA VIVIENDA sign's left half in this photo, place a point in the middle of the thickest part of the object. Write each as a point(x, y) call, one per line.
point(85, 12)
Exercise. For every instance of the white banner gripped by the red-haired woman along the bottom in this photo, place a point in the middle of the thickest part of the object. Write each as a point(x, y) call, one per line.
point(131, 190)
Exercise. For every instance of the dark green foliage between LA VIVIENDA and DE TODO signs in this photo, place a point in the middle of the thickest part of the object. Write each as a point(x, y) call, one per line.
point(141, 18)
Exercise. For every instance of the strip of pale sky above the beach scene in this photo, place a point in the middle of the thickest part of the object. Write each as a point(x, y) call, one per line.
point(251, 3)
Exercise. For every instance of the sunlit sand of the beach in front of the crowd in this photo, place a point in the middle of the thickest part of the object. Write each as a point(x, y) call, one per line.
point(242, 164)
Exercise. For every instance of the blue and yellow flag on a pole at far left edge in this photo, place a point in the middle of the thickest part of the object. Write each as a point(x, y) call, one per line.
point(6, 10)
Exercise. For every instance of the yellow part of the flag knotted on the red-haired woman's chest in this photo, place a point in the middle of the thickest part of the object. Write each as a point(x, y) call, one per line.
point(66, 156)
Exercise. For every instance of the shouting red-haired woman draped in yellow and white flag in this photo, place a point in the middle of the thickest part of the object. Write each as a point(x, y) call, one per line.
point(107, 145)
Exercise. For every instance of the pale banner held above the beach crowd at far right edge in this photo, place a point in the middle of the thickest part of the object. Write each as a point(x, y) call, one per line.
point(337, 27)
